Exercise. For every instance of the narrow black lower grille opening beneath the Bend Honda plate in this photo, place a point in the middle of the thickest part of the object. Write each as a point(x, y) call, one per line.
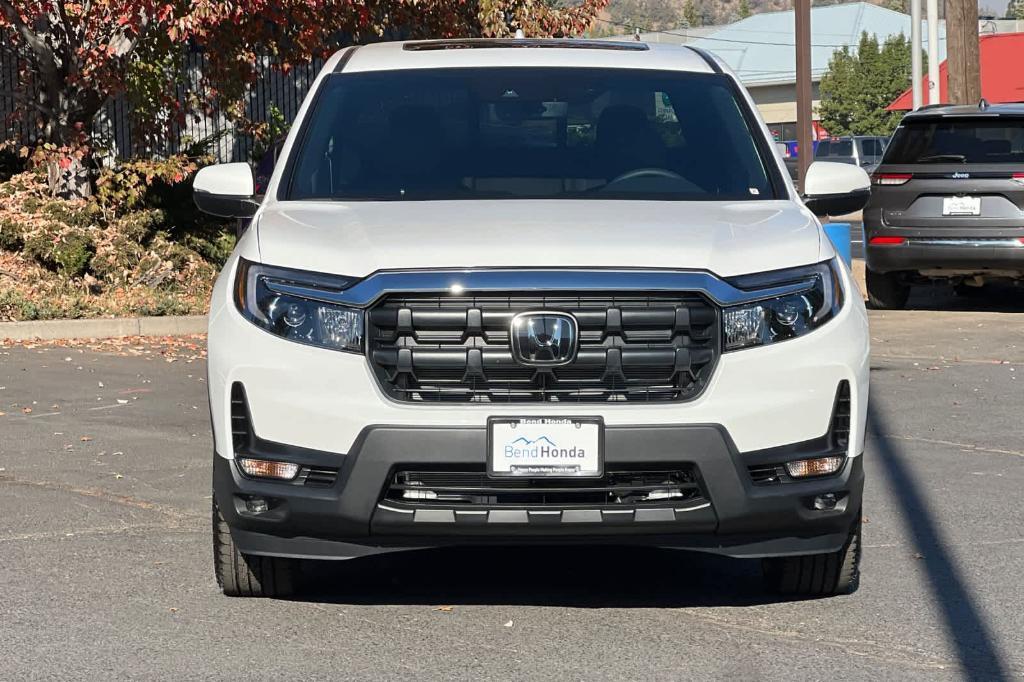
point(633, 487)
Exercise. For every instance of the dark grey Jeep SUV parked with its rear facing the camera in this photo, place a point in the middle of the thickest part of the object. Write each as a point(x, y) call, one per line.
point(948, 202)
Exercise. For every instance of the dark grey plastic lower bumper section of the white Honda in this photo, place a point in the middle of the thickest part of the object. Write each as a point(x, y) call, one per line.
point(349, 519)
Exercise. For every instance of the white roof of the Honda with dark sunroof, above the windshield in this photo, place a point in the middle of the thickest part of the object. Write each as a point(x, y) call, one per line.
point(468, 53)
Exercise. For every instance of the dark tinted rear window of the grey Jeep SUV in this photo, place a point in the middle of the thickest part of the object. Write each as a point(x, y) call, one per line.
point(961, 141)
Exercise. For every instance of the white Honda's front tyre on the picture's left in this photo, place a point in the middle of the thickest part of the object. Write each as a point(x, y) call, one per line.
point(249, 576)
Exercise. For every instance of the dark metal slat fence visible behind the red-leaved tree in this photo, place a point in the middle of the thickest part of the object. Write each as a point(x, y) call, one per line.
point(113, 127)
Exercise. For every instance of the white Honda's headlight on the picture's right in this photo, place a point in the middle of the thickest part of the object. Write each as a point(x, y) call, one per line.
point(787, 317)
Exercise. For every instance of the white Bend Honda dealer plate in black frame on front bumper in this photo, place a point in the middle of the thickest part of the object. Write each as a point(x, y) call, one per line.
point(538, 447)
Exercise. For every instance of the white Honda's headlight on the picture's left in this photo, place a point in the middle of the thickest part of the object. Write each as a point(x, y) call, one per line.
point(291, 305)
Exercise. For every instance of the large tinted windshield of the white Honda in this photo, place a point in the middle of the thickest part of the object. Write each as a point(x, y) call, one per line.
point(529, 134)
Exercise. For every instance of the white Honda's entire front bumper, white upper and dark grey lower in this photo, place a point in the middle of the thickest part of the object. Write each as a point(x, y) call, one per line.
point(329, 408)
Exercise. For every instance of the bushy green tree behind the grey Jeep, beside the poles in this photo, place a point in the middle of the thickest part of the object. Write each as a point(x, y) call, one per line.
point(859, 87)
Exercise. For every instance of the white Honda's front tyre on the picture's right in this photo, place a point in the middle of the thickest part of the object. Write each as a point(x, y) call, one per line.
point(818, 575)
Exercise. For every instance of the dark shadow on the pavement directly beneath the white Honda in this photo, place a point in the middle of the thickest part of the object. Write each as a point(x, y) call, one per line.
point(575, 577)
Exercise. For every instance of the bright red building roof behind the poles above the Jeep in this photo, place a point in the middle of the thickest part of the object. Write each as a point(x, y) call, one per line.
point(1002, 73)
